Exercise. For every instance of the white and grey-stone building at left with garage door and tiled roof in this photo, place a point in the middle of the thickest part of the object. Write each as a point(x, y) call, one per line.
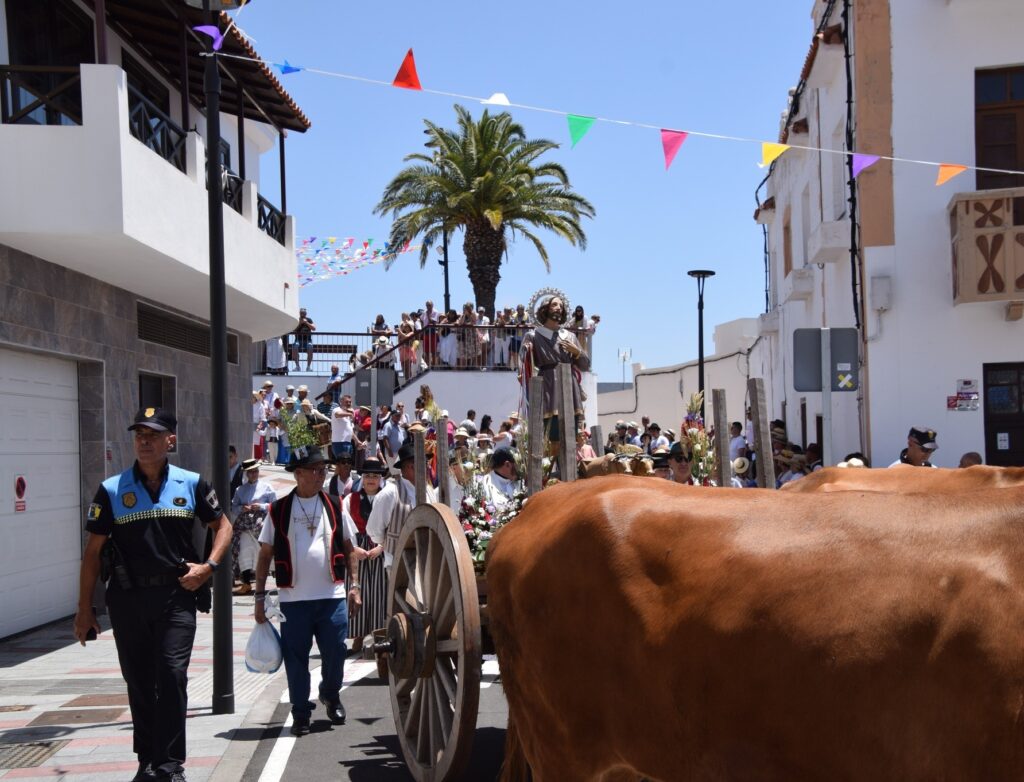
point(104, 260)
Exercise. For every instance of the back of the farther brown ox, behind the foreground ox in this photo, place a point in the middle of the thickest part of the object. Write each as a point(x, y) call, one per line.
point(905, 479)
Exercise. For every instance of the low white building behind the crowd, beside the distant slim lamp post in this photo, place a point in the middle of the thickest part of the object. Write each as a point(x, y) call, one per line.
point(663, 393)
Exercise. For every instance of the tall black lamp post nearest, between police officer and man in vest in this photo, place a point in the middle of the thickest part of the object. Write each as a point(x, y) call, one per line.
point(224, 658)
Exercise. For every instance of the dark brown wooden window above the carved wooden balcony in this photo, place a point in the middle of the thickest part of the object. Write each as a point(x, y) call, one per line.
point(999, 126)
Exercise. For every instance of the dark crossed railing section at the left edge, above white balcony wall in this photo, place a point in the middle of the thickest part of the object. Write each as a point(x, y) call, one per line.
point(40, 96)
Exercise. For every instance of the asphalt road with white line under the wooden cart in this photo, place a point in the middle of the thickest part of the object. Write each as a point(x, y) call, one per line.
point(366, 749)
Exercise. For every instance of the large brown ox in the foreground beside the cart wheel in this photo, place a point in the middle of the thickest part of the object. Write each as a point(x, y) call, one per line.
point(651, 630)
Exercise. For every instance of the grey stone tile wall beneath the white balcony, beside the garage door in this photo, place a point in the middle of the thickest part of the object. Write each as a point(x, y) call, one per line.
point(47, 309)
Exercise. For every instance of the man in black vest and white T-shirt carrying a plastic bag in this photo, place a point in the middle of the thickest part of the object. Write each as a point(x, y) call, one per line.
point(306, 537)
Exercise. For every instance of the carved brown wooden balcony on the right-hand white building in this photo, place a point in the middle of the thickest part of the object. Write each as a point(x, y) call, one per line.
point(988, 234)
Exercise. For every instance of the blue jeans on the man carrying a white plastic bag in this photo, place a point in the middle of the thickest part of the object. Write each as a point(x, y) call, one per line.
point(327, 621)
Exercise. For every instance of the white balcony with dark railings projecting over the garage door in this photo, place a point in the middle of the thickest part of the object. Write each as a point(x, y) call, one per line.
point(100, 181)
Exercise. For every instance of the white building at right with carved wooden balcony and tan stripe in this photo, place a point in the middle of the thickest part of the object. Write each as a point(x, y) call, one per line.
point(938, 281)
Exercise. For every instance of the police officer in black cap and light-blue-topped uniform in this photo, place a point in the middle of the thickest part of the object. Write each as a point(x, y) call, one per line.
point(145, 517)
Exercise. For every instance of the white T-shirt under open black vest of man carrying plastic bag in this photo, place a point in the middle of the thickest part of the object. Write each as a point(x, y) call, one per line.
point(313, 579)
